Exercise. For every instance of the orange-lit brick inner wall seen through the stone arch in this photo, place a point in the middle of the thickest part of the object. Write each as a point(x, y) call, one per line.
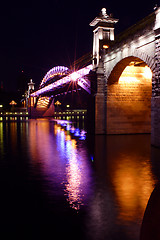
point(130, 98)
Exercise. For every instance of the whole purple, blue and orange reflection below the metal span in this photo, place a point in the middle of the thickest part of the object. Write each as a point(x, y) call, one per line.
point(60, 158)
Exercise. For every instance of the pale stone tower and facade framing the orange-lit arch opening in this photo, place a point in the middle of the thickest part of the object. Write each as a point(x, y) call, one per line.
point(141, 42)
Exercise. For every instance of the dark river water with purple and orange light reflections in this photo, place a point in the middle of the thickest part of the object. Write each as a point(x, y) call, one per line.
point(56, 183)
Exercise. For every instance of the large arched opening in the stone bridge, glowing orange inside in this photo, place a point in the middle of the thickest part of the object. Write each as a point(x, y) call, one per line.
point(129, 92)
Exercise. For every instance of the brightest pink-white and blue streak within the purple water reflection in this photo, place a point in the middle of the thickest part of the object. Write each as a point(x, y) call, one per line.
point(75, 183)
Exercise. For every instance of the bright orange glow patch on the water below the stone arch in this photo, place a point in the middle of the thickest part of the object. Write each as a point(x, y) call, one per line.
point(127, 180)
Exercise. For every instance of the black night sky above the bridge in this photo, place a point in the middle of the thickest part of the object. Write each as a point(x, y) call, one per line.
point(37, 36)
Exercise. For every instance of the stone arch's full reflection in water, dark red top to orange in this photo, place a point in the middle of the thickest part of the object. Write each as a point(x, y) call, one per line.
point(132, 178)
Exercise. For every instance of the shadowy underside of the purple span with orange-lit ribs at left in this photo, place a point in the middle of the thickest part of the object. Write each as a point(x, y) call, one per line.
point(70, 95)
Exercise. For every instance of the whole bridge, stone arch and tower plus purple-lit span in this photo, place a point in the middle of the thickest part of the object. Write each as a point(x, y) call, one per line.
point(125, 91)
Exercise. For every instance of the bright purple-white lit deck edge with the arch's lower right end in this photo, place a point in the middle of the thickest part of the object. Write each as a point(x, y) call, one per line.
point(85, 84)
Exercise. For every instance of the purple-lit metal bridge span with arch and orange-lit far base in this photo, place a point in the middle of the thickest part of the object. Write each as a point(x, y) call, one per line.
point(57, 82)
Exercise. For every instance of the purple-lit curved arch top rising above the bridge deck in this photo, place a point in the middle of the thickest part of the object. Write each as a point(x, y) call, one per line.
point(55, 71)
